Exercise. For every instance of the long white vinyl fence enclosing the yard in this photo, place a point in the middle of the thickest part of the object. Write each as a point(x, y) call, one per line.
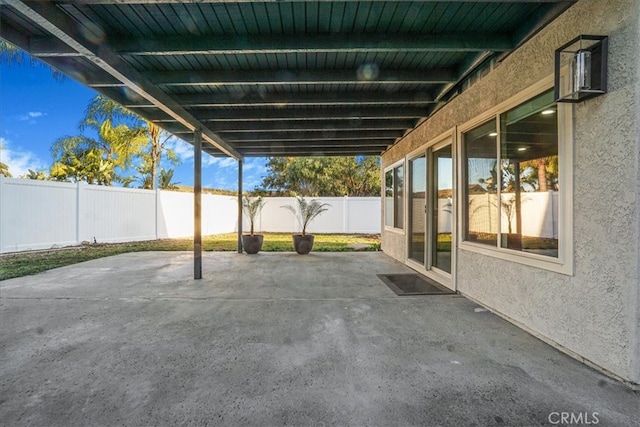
point(43, 214)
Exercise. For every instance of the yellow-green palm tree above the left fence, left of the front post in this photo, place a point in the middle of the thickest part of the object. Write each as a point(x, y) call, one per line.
point(120, 138)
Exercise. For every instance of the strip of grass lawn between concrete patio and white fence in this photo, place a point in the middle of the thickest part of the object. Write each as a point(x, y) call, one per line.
point(24, 264)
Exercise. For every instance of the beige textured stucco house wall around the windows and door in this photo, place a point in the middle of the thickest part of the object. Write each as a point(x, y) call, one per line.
point(593, 314)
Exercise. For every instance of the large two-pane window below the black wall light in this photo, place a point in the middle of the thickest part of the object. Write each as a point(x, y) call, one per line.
point(512, 173)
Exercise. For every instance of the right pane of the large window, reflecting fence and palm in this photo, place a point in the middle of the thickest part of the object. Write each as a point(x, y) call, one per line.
point(529, 172)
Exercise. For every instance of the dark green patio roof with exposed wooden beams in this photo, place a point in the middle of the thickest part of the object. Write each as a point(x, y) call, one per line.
point(274, 78)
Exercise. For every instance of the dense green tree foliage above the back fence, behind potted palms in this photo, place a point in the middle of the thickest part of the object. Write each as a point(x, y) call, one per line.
point(322, 176)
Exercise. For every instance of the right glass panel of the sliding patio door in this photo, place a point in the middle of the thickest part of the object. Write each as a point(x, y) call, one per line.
point(442, 184)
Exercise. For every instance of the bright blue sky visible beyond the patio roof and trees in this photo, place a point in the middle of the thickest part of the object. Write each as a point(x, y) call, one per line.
point(36, 110)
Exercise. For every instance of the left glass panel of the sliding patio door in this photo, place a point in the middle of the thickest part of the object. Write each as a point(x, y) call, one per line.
point(417, 208)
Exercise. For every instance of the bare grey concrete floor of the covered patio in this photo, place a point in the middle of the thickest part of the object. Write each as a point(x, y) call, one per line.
point(275, 339)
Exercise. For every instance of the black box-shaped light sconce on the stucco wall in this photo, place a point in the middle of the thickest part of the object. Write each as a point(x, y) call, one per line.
point(584, 63)
